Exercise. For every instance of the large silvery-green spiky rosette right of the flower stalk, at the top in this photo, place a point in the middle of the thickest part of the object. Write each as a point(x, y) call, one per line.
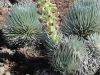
point(82, 18)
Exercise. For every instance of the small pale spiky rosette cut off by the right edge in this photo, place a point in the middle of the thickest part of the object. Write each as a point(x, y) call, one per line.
point(94, 39)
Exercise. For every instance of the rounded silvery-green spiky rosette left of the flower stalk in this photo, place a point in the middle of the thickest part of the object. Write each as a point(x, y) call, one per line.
point(22, 25)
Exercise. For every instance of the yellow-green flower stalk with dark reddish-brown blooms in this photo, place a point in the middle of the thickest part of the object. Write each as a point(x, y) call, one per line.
point(48, 17)
